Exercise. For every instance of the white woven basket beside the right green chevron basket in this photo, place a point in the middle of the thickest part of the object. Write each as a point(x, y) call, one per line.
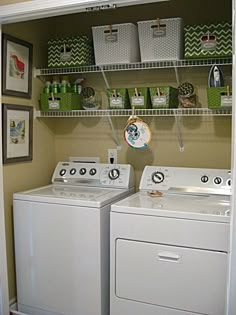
point(161, 39)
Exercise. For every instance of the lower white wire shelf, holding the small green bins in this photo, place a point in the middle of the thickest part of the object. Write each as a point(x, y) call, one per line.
point(138, 112)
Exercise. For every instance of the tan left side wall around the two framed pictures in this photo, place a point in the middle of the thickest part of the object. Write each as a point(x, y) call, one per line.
point(25, 175)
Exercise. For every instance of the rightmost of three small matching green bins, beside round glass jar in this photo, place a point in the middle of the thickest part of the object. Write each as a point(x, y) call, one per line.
point(164, 97)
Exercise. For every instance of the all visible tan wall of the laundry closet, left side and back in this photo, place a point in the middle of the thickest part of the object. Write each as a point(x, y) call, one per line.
point(207, 140)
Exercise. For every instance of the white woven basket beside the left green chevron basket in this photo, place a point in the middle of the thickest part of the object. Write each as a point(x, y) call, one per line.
point(115, 44)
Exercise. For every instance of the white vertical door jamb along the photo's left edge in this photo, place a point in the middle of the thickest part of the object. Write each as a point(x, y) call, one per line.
point(4, 295)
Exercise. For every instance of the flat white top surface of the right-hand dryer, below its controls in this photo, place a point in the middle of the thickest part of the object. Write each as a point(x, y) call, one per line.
point(215, 208)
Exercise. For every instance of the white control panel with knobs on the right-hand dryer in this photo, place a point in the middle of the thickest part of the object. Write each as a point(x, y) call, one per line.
point(186, 179)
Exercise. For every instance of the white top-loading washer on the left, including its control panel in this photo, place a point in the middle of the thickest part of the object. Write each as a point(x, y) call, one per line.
point(62, 239)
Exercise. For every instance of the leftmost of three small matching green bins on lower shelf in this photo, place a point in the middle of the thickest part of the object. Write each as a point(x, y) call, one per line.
point(118, 98)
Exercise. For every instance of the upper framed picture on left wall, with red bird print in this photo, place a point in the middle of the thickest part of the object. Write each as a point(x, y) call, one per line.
point(16, 67)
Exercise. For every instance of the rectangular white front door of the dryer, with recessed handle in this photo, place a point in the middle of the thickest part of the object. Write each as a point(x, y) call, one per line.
point(181, 278)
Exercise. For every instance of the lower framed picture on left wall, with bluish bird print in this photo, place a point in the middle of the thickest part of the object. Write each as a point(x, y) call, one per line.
point(17, 128)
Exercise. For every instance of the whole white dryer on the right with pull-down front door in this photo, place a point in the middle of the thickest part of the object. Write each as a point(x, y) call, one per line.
point(169, 244)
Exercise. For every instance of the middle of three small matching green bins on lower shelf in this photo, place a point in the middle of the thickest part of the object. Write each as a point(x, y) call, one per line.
point(142, 101)
